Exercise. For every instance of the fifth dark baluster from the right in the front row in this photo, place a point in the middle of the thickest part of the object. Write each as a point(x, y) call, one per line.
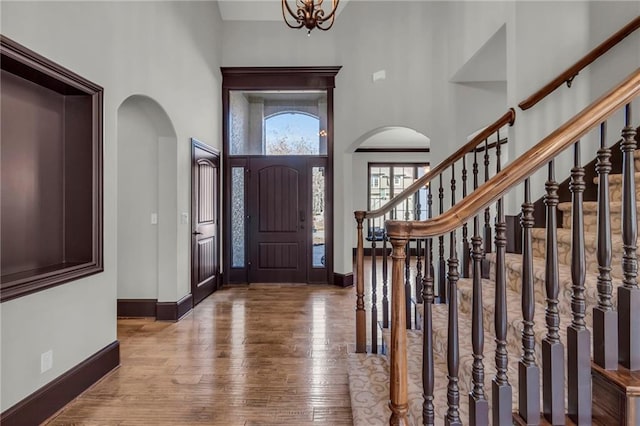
point(528, 370)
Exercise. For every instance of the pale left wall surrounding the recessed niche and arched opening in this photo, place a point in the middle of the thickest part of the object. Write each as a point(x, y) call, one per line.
point(168, 51)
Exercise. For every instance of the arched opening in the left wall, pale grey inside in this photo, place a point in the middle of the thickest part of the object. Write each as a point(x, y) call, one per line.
point(146, 197)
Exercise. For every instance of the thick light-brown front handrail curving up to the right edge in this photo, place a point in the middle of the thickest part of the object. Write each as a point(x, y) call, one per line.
point(523, 166)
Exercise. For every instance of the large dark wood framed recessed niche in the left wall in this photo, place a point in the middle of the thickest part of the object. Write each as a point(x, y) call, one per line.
point(51, 173)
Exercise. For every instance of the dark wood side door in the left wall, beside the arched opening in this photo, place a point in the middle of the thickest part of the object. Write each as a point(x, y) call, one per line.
point(205, 242)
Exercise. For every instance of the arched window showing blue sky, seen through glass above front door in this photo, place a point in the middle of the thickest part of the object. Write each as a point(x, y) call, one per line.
point(292, 133)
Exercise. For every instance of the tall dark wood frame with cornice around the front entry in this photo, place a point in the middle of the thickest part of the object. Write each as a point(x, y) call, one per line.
point(275, 78)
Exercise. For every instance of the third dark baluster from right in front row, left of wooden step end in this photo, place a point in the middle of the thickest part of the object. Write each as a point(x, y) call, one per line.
point(578, 336)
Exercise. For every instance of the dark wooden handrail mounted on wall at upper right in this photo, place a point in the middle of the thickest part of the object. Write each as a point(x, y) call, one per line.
point(573, 70)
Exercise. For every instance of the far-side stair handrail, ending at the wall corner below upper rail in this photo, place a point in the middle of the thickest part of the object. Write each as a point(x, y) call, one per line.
point(508, 118)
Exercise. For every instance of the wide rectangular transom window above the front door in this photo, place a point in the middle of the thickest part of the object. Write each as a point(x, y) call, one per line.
point(283, 122)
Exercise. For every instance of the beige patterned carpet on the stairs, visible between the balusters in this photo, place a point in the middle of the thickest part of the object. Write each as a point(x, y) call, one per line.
point(369, 374)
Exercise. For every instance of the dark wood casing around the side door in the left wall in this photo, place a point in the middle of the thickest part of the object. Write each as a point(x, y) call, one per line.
point(201, 289)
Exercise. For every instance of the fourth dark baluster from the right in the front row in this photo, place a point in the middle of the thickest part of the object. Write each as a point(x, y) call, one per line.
point(552, 347)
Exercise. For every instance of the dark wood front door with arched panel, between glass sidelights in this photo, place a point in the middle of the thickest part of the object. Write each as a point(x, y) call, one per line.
point(277, 219)
